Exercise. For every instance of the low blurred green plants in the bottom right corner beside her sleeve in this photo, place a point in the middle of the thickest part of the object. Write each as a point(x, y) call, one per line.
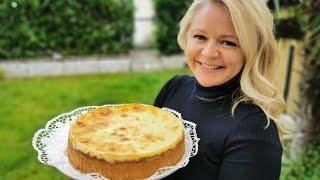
point(307, 168)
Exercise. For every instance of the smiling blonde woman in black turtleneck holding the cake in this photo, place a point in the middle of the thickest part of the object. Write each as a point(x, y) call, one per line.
point(231, 51)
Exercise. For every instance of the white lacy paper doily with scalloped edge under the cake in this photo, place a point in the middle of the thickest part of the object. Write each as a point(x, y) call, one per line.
point(51, 143)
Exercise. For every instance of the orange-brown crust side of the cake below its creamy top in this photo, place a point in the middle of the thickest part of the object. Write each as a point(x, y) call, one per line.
point(141, 169)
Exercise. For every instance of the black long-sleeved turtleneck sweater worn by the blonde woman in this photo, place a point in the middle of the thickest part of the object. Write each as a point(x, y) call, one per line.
point(230, 148)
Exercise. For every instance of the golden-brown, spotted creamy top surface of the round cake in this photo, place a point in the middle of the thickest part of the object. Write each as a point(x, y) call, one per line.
point(126, 132)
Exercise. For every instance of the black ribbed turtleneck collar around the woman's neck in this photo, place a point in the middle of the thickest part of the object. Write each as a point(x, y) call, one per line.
point(217, 92)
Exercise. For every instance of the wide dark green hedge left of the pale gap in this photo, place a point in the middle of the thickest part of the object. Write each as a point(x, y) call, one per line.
point(74, 27)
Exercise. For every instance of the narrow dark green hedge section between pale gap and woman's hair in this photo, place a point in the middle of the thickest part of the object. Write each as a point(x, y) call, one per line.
point(168, 16)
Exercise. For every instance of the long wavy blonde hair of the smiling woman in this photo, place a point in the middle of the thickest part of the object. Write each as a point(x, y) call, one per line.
point(253, 23)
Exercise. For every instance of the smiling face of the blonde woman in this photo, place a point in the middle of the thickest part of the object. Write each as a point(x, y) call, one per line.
point(213, 51)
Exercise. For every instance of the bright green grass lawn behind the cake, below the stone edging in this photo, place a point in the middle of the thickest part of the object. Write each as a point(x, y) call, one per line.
point(27, 105)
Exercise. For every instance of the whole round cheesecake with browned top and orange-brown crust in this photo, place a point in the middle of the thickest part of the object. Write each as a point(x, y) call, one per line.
point(129, 141)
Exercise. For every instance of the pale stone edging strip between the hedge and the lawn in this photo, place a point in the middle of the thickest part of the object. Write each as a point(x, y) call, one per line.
point(53, 67)
